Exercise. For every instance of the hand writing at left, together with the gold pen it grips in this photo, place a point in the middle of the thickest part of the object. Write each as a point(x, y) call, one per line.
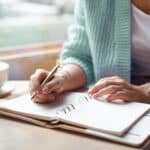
point(44, 85)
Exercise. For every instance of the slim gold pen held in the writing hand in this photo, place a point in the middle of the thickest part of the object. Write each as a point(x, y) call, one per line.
point(49, 76)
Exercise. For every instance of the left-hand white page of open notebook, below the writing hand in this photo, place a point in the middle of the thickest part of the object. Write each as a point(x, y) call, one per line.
point(24, 105)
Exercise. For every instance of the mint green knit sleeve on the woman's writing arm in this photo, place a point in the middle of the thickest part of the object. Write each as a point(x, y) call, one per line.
point(77, 49)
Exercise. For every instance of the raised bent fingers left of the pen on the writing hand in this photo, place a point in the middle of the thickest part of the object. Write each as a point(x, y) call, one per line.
point(36, 79)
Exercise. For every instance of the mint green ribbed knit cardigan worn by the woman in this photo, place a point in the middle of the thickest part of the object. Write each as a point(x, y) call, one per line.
point(99, 40)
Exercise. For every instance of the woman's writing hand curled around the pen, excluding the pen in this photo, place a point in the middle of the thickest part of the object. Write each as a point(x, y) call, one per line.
point(50, 90)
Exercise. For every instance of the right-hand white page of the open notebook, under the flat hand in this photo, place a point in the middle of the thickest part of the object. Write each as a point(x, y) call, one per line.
point(109, 117)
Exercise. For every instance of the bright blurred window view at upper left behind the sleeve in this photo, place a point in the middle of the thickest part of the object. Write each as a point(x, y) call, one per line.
point(31, 22)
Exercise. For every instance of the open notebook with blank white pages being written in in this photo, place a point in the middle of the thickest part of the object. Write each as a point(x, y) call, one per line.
point(77, 109)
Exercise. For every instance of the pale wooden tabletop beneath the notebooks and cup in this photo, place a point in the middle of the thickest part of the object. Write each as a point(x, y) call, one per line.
point(18, 135)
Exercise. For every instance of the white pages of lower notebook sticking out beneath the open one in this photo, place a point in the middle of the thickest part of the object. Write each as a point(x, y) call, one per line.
point(136, 136)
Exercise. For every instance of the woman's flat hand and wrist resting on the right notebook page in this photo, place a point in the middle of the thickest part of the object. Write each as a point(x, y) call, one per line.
point(119, 89)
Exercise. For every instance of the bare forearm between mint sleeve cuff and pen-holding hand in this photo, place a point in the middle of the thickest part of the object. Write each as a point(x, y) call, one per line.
point(74, 77)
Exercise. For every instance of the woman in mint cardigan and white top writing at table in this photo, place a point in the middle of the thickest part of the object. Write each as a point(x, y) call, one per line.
point(109, 48)
